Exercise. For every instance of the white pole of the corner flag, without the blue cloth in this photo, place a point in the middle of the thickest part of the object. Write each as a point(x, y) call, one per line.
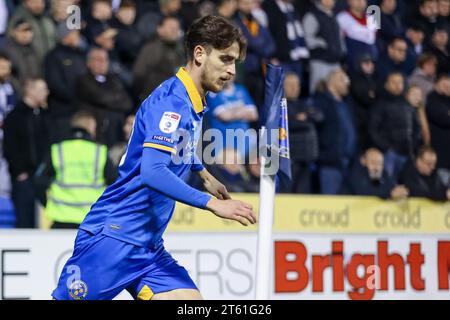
point(264, 251)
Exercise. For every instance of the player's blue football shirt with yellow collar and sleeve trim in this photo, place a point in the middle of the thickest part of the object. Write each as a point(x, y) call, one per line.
point(170, 119)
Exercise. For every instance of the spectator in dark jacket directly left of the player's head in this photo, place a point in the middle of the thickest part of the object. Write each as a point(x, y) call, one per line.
point(159, 59)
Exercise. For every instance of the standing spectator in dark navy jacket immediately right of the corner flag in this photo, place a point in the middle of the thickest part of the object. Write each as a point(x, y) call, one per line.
point(304, 141)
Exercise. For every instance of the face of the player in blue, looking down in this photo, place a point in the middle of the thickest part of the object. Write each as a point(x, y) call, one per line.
point(219, 68)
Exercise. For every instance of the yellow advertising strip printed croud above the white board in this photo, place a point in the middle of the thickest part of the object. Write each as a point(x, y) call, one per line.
point(328, 214)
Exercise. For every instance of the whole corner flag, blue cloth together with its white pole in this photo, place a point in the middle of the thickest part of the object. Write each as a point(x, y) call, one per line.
point(275, 118)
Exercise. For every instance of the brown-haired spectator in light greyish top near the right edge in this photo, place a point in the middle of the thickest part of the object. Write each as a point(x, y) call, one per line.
point(425, 73)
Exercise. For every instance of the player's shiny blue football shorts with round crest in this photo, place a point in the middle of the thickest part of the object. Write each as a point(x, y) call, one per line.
point(101, 267)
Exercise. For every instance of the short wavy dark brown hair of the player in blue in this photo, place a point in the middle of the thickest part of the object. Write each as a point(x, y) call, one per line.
point(213, 32)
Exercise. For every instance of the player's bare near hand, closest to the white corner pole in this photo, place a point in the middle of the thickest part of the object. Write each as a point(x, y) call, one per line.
point(233, 210)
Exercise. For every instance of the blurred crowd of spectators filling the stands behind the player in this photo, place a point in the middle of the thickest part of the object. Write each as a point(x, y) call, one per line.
point(369, 108)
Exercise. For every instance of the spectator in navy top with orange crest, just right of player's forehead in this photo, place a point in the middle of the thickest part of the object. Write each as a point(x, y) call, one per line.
point(260, 48)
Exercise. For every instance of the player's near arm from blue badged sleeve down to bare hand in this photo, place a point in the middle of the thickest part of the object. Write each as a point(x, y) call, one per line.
point(159, 145)
